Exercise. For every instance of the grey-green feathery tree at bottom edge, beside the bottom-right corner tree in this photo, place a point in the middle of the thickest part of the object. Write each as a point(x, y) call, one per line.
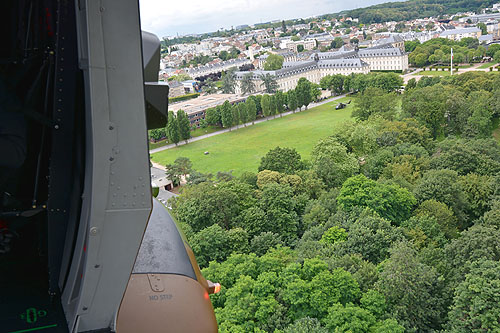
point(412, 289)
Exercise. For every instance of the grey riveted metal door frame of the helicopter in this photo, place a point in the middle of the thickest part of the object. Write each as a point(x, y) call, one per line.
point(117, 163)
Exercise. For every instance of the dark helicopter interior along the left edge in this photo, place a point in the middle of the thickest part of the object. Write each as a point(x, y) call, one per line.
point(42, 124)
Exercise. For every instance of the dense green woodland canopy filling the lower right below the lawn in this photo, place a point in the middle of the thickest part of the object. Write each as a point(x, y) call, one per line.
point(393, 225)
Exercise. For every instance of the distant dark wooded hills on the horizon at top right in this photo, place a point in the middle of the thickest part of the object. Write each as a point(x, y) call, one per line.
point(413, 9)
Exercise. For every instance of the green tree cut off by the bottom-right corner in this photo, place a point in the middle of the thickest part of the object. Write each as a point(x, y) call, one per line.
point(476, 305)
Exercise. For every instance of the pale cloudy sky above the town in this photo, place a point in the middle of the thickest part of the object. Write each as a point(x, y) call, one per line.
point(171, 17)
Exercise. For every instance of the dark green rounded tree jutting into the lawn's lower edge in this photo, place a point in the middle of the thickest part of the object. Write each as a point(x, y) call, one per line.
point(284, 160)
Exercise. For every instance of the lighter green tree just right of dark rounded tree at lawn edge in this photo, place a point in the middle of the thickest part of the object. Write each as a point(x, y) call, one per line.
point(332, 163)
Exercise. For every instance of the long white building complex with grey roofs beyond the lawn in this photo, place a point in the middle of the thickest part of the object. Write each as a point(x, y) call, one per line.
point(380, 58)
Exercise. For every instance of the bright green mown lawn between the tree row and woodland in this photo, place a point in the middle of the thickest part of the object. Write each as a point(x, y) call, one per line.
point(241, 150)
